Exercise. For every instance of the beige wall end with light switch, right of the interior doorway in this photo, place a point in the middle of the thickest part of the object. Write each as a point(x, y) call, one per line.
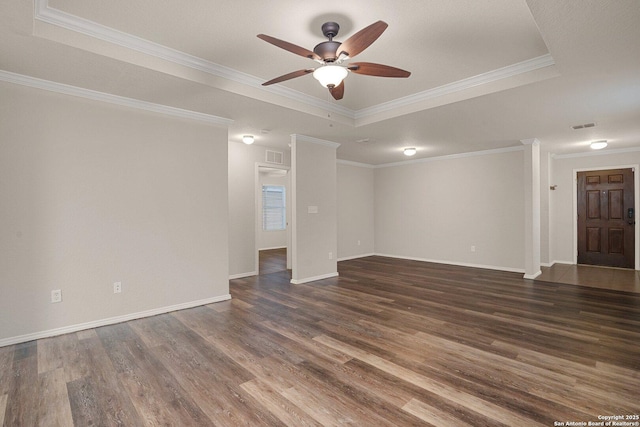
point(313, 184)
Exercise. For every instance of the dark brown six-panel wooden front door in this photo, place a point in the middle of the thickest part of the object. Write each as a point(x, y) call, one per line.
point(606, 221)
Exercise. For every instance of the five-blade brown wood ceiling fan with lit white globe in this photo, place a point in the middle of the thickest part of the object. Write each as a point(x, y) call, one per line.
point(331, 54)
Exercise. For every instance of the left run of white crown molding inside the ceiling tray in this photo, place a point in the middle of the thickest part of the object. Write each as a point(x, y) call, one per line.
point(43, 12)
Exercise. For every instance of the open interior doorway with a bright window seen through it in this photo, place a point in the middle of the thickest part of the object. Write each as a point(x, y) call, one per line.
point(273, 213)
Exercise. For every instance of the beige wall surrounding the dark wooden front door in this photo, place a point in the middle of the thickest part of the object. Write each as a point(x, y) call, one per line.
point(561, 232)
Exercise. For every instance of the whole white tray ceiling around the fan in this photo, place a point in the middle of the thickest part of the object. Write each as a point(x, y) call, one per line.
point(485, 75)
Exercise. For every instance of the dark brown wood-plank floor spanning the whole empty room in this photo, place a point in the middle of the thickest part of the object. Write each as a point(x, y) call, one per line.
point(389, 342)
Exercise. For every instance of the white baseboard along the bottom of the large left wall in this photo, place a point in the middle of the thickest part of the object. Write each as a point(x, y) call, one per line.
point(110, 321)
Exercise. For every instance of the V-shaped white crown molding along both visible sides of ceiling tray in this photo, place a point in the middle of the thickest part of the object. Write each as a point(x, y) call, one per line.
point(44, 13)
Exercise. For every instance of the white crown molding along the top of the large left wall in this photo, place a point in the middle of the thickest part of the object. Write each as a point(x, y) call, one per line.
point(93, 95)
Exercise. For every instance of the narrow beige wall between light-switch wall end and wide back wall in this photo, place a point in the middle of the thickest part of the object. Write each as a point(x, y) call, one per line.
point(355, 210)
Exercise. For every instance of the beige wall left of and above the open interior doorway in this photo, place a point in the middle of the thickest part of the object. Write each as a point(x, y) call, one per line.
point(242, 205)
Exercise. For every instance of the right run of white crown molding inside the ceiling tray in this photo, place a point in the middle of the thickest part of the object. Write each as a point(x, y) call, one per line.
point(461, 85)
